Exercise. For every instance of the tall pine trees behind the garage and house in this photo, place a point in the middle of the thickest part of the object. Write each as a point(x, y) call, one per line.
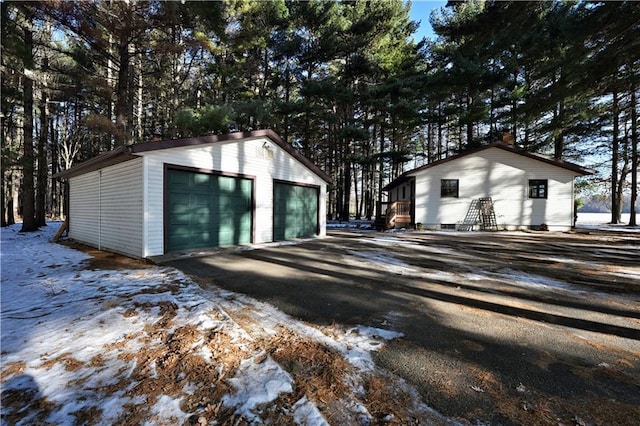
point(346, 83)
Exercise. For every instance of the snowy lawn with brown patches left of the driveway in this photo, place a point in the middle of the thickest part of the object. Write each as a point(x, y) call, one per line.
point(149, 346)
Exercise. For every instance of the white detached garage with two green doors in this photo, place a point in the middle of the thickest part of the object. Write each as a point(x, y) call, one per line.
point(152, 198)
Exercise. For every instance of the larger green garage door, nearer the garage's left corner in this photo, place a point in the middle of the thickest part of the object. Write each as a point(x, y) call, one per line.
point(205, 210)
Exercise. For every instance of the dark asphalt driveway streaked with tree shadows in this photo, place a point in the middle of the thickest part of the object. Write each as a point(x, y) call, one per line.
point(509, 328)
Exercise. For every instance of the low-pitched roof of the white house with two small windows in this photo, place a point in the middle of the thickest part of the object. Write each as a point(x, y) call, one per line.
point(579, 170)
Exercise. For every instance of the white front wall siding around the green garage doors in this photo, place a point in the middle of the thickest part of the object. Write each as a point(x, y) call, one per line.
point(245, 157)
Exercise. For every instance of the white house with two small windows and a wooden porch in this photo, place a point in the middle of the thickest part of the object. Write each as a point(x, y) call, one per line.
point(497, 186)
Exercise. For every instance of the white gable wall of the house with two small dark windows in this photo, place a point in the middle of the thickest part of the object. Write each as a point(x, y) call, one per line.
point(504, 176)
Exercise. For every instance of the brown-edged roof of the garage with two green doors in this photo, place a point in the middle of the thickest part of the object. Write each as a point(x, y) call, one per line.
point(128, 152)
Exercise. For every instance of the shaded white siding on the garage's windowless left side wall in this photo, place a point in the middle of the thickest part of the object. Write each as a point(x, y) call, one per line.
point(106, 208)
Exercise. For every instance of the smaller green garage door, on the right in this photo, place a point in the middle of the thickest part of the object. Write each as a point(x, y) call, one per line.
point(295, 210)
